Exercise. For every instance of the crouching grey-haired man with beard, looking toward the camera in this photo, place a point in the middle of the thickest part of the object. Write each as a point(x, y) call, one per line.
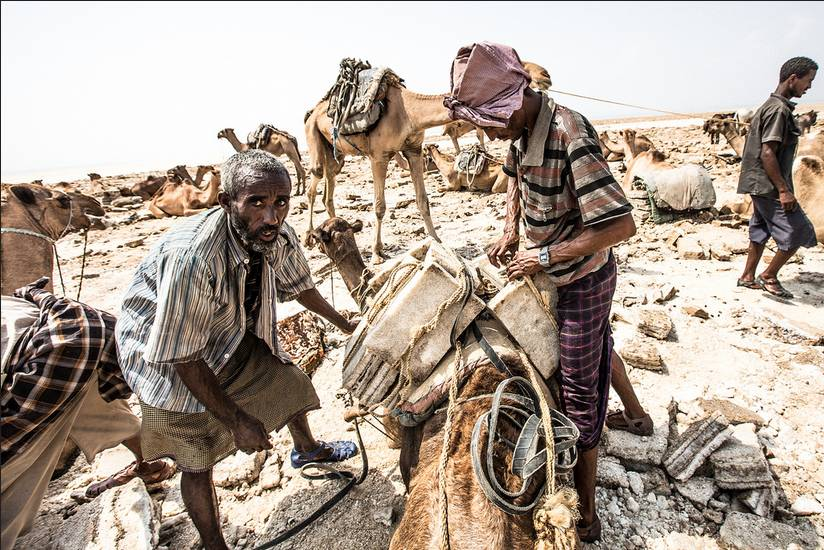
point(197, 336)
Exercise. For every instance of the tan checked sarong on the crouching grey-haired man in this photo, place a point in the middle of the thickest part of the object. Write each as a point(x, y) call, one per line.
point(259, 382)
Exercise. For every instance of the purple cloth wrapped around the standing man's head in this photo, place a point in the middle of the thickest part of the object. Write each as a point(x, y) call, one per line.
point(488, 82)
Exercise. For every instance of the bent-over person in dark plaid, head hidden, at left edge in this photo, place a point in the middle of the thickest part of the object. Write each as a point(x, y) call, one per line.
point(60, 381)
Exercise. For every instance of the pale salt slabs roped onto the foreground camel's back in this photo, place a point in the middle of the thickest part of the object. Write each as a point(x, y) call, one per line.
point(406, 333)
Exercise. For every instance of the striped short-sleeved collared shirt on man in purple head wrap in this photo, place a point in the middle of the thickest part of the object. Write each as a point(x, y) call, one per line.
point(565, 185)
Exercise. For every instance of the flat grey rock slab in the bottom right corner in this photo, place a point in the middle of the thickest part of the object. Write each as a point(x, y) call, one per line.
point(749, 532)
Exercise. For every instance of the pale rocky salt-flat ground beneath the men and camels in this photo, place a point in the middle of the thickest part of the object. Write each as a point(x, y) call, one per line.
point(694, 343)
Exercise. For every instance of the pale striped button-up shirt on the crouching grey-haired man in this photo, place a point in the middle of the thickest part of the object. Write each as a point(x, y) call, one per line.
point(186, 303)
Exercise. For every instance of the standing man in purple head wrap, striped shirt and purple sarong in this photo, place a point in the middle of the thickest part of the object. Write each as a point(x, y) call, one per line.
point(573, 212)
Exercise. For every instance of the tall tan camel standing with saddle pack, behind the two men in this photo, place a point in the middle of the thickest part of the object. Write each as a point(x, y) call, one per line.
point(400, 129)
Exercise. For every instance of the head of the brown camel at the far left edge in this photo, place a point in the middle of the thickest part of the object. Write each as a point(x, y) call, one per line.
point(55, 211)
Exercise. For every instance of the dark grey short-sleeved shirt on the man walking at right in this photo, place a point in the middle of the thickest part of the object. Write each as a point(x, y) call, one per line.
point(773, 121)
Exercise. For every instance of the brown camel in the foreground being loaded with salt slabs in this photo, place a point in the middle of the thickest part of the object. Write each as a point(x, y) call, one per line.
point(471, 516)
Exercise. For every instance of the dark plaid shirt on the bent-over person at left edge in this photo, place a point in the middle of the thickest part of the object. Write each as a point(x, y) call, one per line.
point(50, 364)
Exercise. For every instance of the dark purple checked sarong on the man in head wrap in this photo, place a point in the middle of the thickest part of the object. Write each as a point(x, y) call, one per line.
point(586, 347)
